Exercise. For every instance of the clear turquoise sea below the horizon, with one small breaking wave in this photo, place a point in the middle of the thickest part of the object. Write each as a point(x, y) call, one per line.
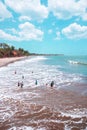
point(69, 64)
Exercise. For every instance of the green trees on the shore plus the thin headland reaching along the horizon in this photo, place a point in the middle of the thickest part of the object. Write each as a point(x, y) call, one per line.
point(10, 51)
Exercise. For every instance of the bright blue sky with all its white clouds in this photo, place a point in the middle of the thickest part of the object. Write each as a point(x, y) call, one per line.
point(45, 26)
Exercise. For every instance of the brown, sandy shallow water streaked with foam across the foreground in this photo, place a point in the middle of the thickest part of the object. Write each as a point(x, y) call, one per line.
point(44, 108)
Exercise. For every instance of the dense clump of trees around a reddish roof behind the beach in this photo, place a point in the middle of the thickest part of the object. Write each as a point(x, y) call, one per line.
point(10, 51)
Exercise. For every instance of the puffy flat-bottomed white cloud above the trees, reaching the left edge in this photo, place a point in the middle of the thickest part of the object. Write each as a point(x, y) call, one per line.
point(26, 32)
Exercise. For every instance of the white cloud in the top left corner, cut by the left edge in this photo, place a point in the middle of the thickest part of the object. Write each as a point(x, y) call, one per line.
point(4, 13)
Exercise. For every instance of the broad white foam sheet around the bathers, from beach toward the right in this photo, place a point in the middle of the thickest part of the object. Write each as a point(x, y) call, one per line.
point(43, 73)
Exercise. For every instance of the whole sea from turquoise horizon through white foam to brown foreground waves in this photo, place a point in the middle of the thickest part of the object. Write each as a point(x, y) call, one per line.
point(40, 106)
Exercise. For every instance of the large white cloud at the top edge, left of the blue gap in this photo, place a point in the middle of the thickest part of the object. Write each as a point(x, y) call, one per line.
point(30, 8)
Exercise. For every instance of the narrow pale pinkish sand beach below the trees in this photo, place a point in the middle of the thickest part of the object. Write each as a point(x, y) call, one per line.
point(8, 60)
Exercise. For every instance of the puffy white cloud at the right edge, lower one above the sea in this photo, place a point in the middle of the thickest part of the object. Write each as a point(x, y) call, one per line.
point(75, 31)
